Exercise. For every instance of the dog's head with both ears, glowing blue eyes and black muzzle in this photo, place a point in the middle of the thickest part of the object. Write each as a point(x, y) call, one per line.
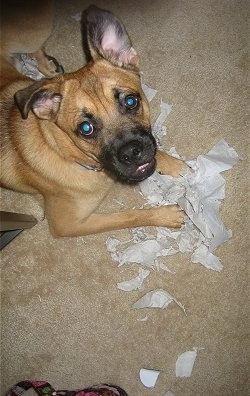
point(101, 107)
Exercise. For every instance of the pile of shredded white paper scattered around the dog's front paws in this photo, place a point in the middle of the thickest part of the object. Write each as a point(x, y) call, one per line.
point(199, 192)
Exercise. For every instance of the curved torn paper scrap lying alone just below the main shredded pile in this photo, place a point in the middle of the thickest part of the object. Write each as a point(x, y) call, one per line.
point(158, 298)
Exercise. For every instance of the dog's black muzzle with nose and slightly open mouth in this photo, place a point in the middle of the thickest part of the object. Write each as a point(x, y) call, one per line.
point(130, 157)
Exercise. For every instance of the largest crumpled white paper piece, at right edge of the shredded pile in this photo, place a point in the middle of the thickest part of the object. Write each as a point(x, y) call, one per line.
point(206, 189)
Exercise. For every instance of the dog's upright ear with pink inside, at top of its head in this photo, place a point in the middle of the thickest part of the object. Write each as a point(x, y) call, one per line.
point(107, 38)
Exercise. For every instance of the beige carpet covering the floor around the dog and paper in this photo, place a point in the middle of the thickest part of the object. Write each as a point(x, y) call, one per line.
point(63, 318)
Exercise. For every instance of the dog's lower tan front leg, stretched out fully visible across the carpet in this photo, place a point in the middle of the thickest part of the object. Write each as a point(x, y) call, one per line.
point(68, 218)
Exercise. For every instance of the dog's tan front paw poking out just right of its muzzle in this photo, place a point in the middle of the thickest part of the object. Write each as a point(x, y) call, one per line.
point(168, 165)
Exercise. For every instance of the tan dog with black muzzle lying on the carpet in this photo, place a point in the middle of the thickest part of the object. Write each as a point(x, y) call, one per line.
point(70, 138)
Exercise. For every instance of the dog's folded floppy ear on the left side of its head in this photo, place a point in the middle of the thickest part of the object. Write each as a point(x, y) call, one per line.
point(42, 98)
